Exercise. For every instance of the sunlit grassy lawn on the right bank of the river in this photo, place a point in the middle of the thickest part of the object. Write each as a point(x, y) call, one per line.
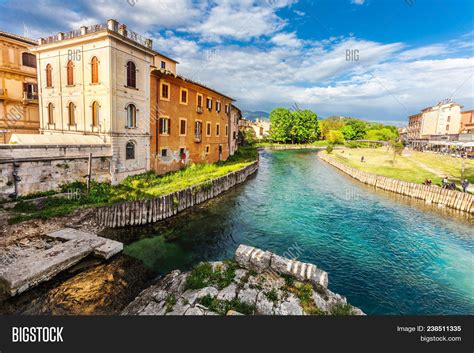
point(415, 168)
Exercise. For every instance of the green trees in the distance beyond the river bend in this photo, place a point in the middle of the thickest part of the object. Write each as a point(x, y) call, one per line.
point(302, 126)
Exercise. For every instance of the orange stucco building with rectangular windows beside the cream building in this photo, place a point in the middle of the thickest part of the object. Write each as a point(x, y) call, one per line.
point(190, 123)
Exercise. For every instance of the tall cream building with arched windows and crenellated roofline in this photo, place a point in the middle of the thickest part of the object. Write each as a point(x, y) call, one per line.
point(96, 81)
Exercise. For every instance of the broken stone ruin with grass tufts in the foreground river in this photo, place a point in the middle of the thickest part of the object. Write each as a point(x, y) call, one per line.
point(256, 282)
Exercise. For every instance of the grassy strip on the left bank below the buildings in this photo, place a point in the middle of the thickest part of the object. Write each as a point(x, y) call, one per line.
point(143, 186)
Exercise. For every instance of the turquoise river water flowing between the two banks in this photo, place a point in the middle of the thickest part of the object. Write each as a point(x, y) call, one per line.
point(387, 254)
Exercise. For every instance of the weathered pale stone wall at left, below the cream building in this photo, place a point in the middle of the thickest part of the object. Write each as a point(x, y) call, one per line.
point(45, 167)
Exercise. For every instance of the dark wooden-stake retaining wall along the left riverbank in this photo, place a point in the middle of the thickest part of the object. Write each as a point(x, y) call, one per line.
point(152, 210)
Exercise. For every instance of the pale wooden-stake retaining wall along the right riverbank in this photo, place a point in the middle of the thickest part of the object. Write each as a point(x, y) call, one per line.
point(430, 194)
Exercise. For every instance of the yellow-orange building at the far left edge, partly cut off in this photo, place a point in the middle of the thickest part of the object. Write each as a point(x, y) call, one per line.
point(18, 89)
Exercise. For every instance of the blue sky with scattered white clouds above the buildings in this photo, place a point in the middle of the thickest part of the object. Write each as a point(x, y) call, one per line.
point(380, 60)
